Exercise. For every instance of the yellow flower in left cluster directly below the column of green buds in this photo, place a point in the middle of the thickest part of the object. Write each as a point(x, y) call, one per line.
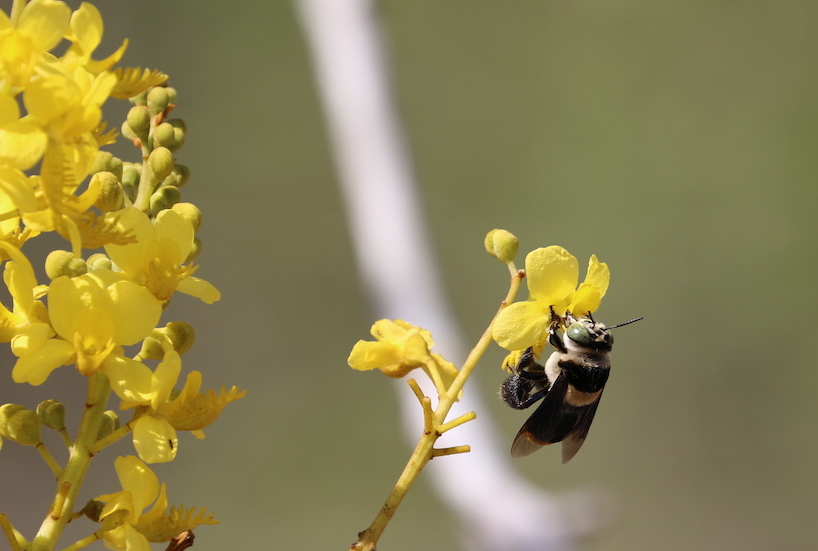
point(157, 258)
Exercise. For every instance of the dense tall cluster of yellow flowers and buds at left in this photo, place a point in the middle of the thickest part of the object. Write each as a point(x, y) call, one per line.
point(131, 245)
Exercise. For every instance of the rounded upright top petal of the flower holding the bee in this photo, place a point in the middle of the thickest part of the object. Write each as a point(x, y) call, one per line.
point(552, 274)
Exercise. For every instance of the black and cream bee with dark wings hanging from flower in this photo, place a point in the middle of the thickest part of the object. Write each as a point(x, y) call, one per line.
point(570, 385)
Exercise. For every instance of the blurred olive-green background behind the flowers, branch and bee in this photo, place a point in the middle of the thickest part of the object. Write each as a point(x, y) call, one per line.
point(675, 140)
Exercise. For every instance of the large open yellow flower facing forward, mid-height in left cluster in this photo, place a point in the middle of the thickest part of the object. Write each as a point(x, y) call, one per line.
point(94, 315)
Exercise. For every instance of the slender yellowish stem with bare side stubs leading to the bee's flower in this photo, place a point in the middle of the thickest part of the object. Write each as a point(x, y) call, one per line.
point(434, 426)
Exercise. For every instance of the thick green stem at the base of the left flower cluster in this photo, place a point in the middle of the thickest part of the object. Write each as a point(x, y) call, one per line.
point(69, 484)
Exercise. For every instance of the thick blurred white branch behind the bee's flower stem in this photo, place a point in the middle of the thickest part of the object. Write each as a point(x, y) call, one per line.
point(498, 510)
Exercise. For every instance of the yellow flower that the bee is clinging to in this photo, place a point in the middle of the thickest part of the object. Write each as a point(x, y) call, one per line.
point(552, 274)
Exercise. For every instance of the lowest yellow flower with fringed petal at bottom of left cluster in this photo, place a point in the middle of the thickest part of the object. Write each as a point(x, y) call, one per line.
point(135, 527)
